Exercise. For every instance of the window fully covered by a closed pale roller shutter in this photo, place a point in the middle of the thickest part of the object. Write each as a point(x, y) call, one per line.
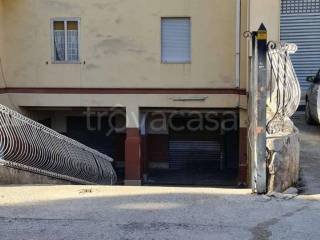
point(176, 40)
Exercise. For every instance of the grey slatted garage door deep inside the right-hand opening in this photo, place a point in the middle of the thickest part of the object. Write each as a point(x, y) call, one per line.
point(199, 150)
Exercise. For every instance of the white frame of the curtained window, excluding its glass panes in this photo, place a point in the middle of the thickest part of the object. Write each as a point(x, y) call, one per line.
point(65, 20)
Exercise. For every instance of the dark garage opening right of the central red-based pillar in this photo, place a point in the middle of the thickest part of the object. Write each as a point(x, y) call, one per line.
point(200, 151)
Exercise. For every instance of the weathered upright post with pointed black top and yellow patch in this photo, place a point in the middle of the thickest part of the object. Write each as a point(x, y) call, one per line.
point(258, 110)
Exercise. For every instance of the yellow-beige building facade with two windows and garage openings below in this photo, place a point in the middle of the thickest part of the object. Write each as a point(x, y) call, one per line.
point(159, 85)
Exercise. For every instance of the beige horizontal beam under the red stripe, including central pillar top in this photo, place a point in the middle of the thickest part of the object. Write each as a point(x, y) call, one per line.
point(131, 102)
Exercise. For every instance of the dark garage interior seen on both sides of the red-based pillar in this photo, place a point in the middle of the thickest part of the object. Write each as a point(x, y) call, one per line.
point(181, 152)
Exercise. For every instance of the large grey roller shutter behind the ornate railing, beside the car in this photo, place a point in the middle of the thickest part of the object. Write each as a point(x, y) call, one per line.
point(300, 24)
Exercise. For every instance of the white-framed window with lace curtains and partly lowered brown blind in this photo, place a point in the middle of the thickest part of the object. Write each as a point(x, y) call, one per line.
point(65, 40)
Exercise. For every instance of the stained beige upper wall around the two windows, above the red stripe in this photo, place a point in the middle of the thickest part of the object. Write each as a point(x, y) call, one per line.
point(120, 42)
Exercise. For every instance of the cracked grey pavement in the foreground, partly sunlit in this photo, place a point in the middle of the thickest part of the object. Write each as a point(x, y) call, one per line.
point(119, 213)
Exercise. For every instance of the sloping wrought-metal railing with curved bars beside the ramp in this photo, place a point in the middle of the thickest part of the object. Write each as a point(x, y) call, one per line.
point(30, 146)
